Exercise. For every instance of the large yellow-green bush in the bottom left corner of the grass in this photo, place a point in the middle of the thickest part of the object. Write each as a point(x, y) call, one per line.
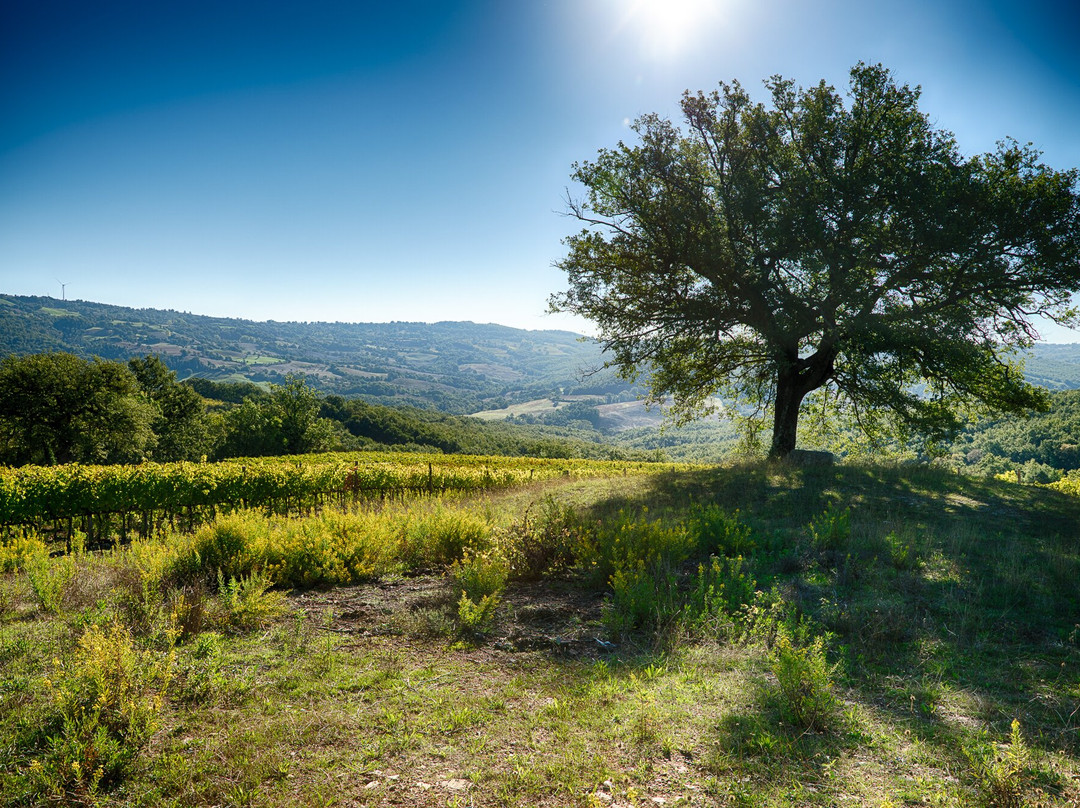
point(107, 697)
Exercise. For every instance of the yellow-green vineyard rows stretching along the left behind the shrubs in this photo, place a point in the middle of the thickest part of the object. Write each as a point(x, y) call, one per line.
point(99, 500)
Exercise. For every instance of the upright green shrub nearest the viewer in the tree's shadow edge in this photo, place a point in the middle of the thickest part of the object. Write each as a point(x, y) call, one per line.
point(805, 685)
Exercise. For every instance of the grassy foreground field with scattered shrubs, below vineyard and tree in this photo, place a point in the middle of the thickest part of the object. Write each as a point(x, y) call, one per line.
point(711, 637)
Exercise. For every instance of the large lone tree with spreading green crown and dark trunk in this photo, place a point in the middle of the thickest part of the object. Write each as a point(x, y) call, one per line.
point(768, 252)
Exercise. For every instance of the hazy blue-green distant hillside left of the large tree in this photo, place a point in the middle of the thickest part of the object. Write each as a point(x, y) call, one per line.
point(458, 368)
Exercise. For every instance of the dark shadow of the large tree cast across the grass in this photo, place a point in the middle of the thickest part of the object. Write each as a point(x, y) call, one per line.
point(954, 604)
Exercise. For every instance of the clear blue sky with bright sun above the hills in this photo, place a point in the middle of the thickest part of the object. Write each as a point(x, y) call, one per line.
point(360, 161)
